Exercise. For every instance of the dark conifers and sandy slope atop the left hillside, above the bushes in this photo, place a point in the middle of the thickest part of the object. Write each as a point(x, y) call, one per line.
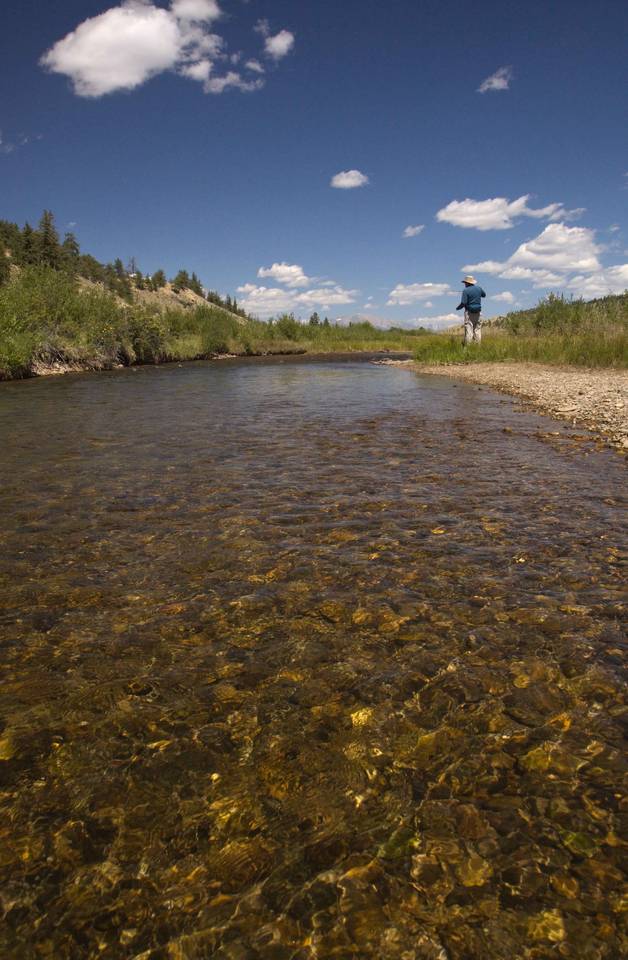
point(42, 246)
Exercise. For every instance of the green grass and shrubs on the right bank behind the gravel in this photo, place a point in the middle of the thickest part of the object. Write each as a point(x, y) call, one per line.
point(557, 331)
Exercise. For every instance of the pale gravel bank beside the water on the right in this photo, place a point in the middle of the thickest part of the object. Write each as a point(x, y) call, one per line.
point(596, 399)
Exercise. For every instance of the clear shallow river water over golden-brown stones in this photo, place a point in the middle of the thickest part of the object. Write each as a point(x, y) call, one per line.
point(307, 660)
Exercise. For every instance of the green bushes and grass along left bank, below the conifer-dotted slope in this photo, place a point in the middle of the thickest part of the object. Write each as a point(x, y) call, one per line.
point(46, 319)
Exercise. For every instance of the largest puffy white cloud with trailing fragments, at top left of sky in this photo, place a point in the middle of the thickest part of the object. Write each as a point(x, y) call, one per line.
point(126, 45)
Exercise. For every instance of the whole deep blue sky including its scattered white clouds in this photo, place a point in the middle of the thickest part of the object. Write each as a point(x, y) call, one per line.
point(208, 135)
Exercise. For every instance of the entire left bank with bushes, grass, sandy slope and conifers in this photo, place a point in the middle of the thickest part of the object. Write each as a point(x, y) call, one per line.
point(61, 309)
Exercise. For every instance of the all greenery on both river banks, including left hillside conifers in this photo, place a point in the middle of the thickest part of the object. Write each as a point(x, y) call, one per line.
point(62, 309)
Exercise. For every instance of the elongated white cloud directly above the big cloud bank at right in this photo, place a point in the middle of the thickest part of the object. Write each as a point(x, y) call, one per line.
point(499, 213)
